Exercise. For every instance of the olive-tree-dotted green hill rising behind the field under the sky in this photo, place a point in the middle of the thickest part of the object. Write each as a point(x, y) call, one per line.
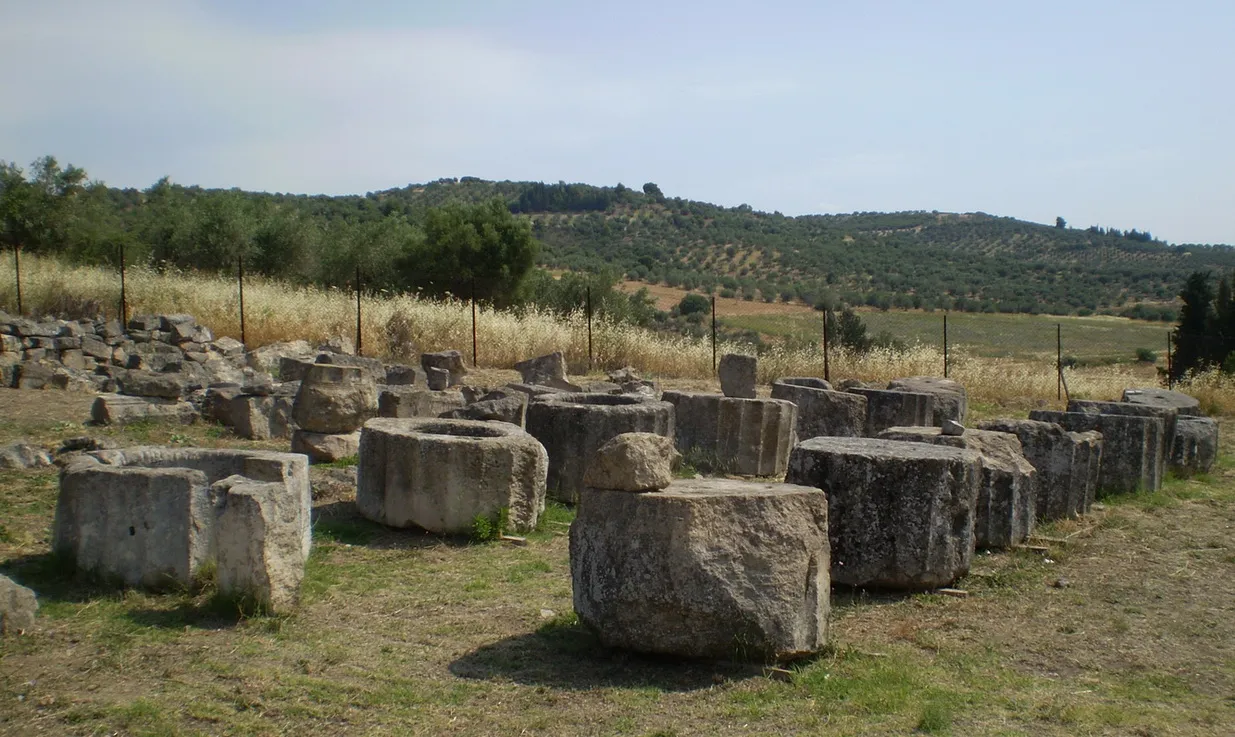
point(973, 262)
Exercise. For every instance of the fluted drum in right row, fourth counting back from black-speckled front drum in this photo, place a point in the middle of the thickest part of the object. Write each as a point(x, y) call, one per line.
point(1132, 448)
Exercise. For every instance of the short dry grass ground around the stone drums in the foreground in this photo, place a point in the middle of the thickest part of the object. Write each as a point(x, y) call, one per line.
point(1123, 627)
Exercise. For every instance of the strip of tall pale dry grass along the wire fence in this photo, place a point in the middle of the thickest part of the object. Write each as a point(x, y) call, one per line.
point(400, 327)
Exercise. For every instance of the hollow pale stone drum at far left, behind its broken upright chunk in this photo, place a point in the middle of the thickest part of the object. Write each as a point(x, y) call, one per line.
point(148, 515)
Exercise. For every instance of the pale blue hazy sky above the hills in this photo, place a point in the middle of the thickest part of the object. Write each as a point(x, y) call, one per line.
point(1105, 113)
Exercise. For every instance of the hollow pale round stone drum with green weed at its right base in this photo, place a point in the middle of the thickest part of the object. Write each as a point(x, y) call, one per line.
point(442, 475)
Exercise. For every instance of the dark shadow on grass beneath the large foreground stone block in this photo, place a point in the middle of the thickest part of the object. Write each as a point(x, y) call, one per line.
point(570, 657)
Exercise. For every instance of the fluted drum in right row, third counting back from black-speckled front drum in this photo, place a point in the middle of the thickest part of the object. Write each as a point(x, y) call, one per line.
point(1068, 465)
